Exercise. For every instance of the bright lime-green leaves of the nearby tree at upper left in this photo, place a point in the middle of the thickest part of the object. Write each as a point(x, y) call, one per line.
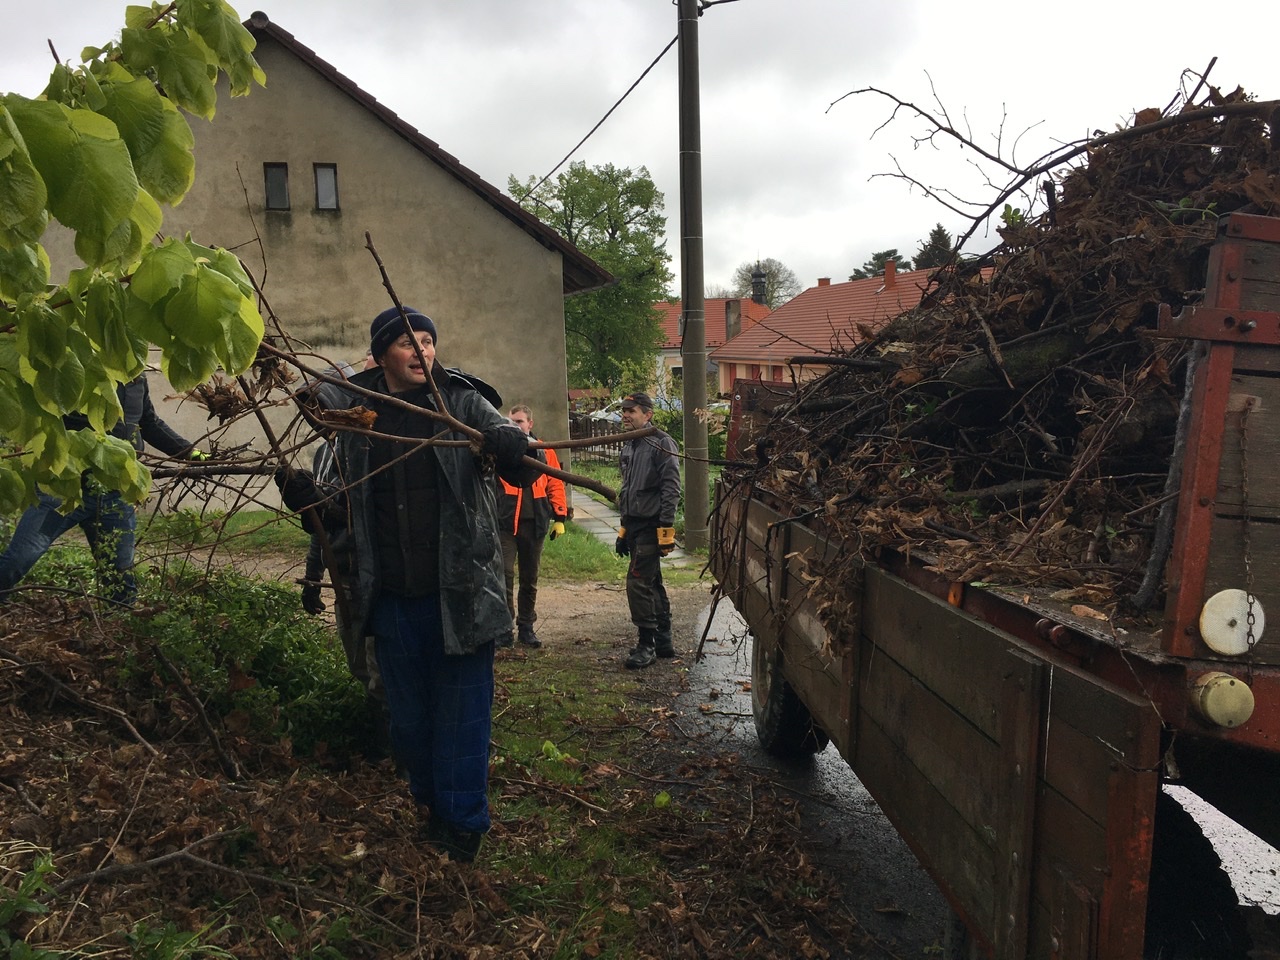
point(99, 152)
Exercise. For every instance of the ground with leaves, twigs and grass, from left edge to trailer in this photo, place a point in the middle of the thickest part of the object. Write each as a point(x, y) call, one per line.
point(112, 770)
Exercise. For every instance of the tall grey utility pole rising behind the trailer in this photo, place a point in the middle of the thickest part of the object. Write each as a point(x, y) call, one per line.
point(693, 309)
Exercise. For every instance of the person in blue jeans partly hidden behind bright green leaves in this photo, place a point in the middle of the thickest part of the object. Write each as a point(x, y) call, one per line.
point(108, 520)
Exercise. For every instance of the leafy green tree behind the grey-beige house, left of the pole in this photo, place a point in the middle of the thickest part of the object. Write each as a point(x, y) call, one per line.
point(616, 218)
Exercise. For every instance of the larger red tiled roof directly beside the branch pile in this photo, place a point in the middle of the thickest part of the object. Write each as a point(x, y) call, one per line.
point(826, 317)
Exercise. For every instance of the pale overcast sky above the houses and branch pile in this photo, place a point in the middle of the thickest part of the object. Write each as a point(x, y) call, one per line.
point(510, 86)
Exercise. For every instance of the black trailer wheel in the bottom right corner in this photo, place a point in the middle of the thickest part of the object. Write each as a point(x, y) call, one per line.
point(1194, 912)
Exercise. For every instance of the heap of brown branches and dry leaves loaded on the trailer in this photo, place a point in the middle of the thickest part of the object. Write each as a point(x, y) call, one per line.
point(1017, 428)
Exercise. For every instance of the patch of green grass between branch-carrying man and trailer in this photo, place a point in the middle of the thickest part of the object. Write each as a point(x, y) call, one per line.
point(577, 867)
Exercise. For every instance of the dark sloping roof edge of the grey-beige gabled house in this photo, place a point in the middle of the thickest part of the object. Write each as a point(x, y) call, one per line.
point(580, 272)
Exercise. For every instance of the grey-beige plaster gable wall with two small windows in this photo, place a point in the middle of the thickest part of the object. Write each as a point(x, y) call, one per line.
point(496, 294)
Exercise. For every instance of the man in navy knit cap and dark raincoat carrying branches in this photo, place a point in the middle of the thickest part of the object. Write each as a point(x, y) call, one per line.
point(429, 577)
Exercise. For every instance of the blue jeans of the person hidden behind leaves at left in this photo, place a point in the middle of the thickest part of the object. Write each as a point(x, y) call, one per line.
point(109, 524)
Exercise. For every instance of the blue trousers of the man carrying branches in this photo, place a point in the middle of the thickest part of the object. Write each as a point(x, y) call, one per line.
point(441, 710)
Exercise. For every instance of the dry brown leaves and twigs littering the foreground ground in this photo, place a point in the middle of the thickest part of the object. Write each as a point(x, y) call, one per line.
point(127, 794)
